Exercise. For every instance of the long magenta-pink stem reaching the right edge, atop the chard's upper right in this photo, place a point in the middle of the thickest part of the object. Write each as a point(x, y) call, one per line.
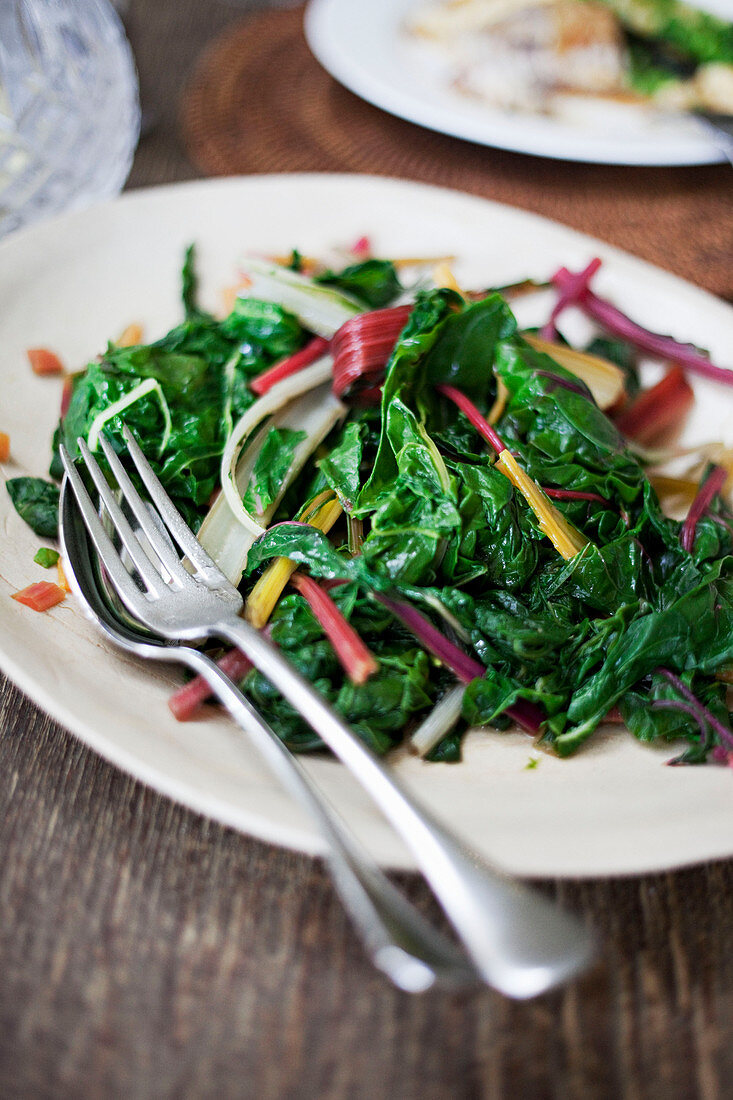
point(618, 324)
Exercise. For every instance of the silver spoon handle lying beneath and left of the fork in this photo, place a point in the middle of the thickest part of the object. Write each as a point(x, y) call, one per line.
point(399, 940)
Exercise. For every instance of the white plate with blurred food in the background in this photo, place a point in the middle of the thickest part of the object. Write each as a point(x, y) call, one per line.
point(365, 48)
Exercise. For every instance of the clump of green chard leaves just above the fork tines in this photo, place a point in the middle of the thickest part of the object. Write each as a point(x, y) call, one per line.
point(203, 368)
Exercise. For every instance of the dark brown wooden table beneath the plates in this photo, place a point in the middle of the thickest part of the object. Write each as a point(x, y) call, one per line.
point(148, 953)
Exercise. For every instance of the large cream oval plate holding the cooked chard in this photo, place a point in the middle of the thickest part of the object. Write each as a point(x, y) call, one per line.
point(74, 283)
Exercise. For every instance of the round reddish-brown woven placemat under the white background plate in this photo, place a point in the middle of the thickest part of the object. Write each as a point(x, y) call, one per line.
point(259, 102)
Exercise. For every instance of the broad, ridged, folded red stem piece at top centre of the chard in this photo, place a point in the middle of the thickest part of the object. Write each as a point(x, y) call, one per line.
point(364, 345)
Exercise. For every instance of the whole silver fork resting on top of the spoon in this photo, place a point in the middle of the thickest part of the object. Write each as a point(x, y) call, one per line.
point(519, 941)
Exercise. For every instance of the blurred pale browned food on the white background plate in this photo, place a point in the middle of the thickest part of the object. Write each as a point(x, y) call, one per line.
point(540, 56)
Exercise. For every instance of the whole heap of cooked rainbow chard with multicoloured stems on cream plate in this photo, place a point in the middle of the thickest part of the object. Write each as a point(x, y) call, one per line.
point(485, 540)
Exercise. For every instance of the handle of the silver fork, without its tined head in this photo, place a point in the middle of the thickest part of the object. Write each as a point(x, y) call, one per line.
point(520, 942)
